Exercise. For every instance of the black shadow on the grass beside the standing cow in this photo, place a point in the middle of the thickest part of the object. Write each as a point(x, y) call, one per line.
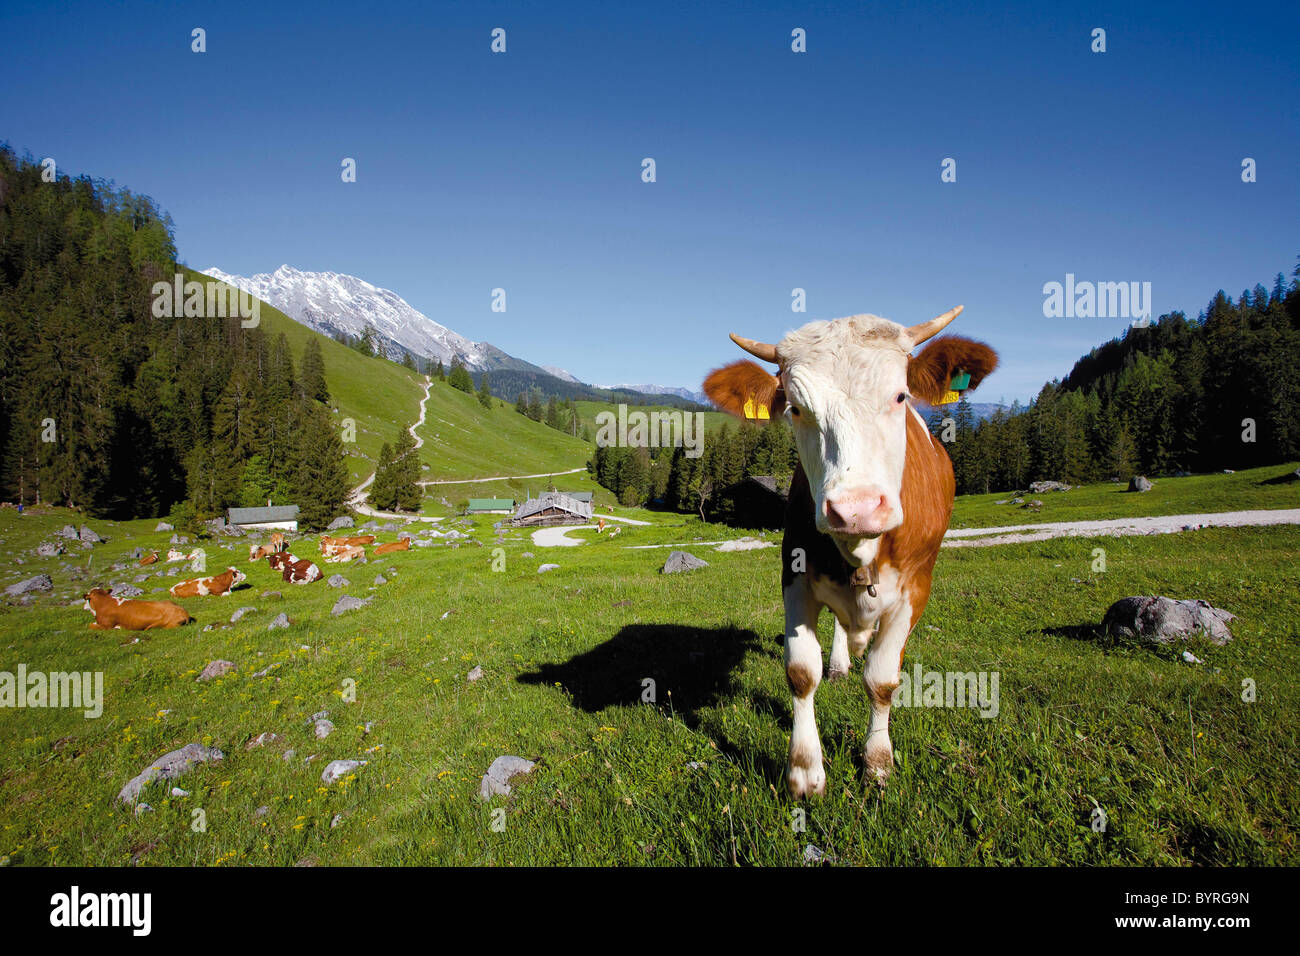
point(692, 669)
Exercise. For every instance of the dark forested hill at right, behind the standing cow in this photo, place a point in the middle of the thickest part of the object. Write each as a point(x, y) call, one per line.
point(1217, 392)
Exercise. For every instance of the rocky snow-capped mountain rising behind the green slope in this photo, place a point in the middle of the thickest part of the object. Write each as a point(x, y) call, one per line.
point(332, 302)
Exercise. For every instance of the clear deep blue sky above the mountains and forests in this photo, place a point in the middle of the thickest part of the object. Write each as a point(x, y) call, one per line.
point(775, 170)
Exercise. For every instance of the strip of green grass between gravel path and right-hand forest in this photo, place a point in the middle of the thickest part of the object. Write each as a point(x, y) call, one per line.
point(1169, 496)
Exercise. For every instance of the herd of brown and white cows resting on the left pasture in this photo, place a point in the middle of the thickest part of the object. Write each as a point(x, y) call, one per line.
point(136, 615)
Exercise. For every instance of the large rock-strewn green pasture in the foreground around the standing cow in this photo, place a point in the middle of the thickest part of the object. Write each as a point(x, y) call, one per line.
point(1185, 769)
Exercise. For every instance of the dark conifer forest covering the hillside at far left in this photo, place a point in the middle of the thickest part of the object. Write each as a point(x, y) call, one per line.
point(124, 413)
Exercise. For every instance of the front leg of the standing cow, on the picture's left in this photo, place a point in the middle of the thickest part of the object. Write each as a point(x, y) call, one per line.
point(804, 673)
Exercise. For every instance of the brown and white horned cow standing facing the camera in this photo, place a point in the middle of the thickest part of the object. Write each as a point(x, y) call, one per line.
point(869, 504)
